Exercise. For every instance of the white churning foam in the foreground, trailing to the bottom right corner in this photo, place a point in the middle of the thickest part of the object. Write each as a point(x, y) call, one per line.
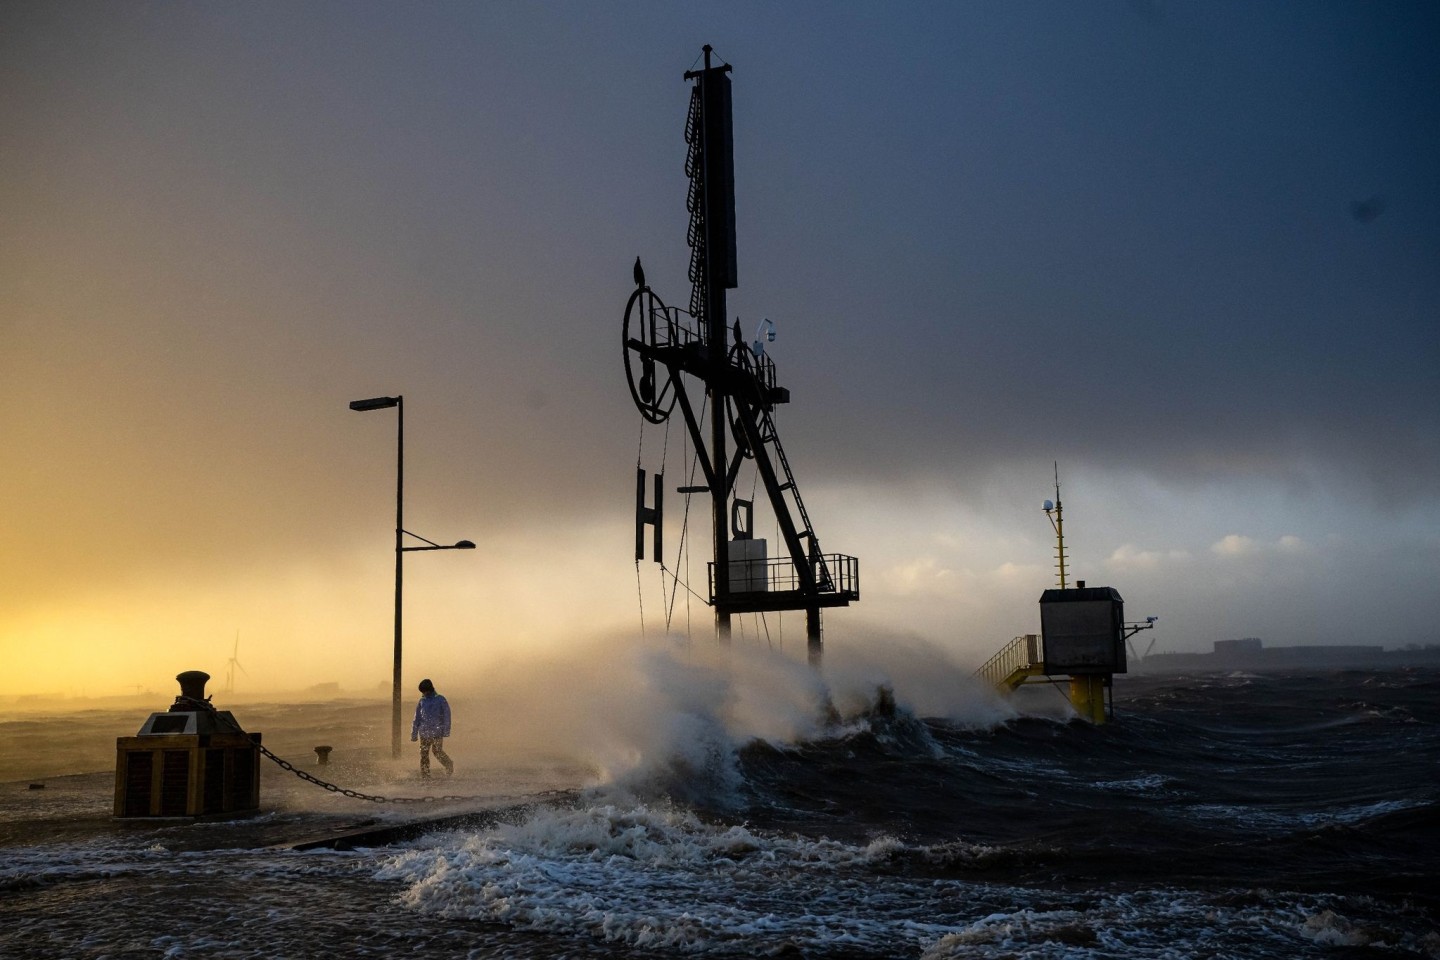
point(660, 879)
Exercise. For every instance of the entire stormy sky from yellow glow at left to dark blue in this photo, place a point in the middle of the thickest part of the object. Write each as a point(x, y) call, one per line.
point(1189, 251)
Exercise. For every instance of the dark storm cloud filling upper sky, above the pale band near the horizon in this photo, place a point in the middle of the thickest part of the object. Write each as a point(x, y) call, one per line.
point(987, 234)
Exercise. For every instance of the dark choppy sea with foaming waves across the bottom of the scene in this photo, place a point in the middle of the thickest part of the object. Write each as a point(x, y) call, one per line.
point(1218, 817)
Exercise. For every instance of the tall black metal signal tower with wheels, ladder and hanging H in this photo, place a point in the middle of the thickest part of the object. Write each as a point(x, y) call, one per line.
point(667, 349)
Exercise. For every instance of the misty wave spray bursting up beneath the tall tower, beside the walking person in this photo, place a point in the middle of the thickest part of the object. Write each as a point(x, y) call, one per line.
point(667, 719)
